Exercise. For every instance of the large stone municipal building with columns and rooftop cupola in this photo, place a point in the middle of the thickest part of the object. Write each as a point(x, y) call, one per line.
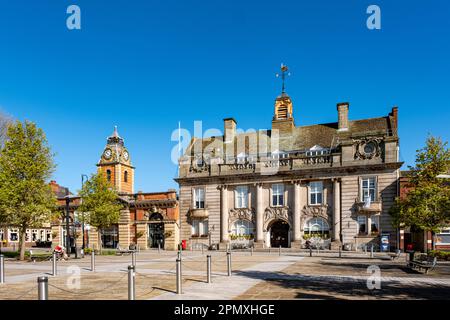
point(281, 187)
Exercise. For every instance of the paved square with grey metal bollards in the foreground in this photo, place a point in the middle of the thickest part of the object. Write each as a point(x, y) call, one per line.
point(263, 275)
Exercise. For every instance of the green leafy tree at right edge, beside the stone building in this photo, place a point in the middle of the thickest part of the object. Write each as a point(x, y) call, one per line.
point(427, 204)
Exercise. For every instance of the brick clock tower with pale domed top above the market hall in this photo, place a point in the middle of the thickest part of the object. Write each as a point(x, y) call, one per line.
point(115, 163)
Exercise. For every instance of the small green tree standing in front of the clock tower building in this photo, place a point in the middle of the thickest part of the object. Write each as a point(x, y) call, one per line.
point(100, 204)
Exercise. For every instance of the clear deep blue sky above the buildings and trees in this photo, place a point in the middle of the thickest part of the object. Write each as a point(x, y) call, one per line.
point(145, 65)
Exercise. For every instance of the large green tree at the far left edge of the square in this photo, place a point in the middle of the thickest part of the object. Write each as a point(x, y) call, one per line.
point(26, 164)
